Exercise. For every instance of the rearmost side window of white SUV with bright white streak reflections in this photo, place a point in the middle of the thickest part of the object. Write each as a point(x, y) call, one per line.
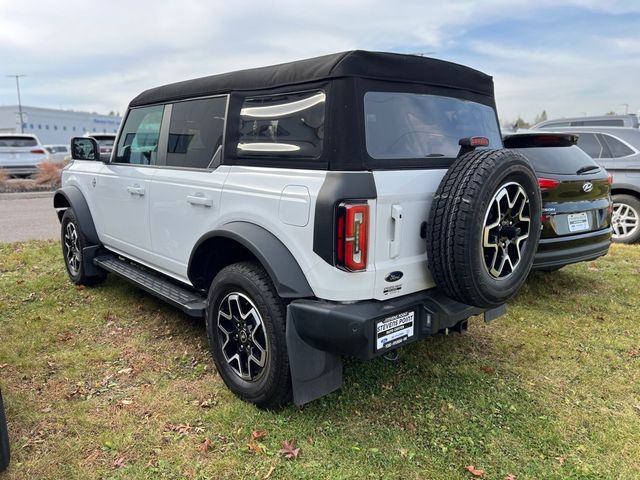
point(290, 125)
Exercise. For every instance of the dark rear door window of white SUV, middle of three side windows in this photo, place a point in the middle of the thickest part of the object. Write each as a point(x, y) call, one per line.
point(195, 133)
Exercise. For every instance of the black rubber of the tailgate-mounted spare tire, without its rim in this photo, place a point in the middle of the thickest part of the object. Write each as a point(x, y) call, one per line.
point(456, 226)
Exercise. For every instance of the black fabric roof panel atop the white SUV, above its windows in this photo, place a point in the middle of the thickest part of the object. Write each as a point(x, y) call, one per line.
point(356, 63)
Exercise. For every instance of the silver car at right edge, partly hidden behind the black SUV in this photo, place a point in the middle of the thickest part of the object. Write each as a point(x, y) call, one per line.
point(618, 150)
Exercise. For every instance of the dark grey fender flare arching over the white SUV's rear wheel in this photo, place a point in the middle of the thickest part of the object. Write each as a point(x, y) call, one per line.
point(275, 257)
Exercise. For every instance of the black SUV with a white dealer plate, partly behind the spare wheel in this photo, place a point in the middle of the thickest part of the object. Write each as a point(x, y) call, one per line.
point(576, 200)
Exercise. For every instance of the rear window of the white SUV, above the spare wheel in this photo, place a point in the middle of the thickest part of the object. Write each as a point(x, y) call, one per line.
point(412, 125)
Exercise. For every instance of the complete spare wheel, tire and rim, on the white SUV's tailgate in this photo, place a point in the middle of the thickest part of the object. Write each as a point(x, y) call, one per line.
point(484, 227)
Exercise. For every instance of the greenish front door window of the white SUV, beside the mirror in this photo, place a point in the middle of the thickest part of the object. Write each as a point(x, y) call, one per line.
point(138, 143)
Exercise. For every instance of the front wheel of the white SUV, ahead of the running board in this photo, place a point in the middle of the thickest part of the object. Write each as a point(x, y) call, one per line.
point(73, 242)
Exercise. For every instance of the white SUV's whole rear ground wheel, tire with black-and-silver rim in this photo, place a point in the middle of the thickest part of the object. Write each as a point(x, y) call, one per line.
point(246, 332)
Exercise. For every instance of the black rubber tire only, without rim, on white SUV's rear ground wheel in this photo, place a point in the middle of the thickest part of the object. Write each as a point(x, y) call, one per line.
point(272, 389)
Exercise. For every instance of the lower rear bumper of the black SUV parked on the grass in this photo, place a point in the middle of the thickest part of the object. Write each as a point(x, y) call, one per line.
point(560, 251)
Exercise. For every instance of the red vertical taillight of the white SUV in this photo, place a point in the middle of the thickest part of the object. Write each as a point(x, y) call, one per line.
point(352, 242)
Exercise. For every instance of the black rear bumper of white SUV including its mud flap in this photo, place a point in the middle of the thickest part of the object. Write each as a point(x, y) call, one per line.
point(319, 332)
